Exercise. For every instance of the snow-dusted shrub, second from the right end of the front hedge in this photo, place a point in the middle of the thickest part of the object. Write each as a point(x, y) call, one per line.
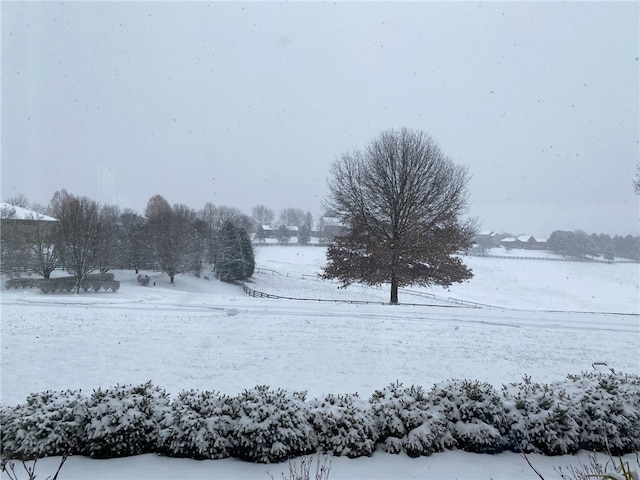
point(543, 418)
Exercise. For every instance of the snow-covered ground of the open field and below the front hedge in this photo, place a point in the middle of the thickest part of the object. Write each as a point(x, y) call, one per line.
point(556, 318)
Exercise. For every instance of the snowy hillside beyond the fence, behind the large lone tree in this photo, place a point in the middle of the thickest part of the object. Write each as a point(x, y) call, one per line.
point(518, 284)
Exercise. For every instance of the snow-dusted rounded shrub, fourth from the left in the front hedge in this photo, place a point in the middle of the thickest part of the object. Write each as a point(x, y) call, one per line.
point(272, 425)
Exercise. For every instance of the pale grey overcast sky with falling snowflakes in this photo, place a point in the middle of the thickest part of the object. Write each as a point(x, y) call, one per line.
point(242, 104)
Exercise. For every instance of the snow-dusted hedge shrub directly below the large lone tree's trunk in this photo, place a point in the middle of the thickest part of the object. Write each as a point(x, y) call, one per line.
point(407, 422)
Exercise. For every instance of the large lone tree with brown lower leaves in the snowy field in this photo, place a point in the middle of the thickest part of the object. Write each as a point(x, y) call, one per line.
point(403, 201)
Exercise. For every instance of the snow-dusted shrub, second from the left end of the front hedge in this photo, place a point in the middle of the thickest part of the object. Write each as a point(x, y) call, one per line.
point(125, 420)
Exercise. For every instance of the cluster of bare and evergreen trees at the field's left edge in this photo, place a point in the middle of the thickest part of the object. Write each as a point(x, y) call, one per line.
point(87, 236)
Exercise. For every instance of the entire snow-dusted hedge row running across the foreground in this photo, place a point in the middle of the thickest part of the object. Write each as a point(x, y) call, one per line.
point(592, 411)
